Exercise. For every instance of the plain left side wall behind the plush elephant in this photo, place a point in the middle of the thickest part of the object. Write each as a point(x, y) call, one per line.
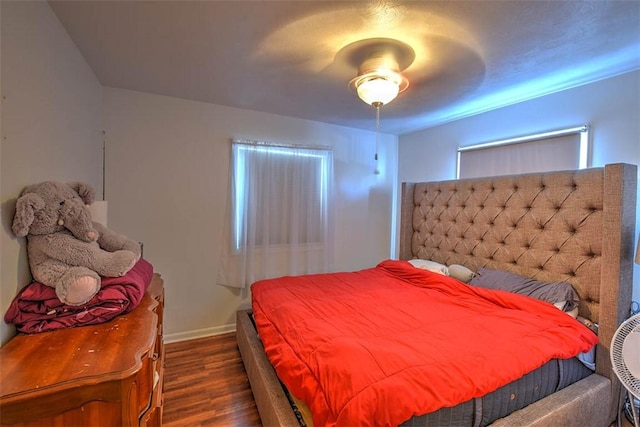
point(51, 122)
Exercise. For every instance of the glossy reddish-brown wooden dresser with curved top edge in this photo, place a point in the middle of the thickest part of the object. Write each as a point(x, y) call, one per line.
point(109, 374)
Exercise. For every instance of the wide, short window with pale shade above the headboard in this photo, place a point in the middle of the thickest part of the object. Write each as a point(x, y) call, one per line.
point(564, 149)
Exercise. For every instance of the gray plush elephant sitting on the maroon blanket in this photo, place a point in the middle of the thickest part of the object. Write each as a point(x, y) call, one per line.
point(66, 249)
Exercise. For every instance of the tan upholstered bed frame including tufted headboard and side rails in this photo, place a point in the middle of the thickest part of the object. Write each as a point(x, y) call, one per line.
point(574, 226)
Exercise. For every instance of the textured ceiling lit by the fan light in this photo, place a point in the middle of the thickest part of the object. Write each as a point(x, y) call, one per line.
point(295, 58)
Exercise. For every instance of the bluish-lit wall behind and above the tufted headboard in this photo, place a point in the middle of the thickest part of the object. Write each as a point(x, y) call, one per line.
point(611, 107)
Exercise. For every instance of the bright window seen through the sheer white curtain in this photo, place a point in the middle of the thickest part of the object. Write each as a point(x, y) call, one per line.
point(288, 187)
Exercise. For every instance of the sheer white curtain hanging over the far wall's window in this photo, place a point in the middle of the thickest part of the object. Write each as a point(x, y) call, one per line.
point(279, 212)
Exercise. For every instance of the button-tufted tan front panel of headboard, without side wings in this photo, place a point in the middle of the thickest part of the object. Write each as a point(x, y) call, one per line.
point(549, 225)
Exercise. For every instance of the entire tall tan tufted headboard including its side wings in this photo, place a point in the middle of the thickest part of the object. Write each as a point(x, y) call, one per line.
point(576, 226)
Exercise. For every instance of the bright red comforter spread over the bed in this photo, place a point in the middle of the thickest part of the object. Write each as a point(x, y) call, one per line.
point(377, 346)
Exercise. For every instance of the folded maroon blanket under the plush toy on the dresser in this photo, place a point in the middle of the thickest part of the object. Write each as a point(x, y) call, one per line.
point(36, 308)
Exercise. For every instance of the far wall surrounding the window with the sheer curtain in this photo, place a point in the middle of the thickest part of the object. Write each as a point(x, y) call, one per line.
point(167, 179)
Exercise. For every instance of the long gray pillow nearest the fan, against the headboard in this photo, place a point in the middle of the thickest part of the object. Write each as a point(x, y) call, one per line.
point(552, 292)
